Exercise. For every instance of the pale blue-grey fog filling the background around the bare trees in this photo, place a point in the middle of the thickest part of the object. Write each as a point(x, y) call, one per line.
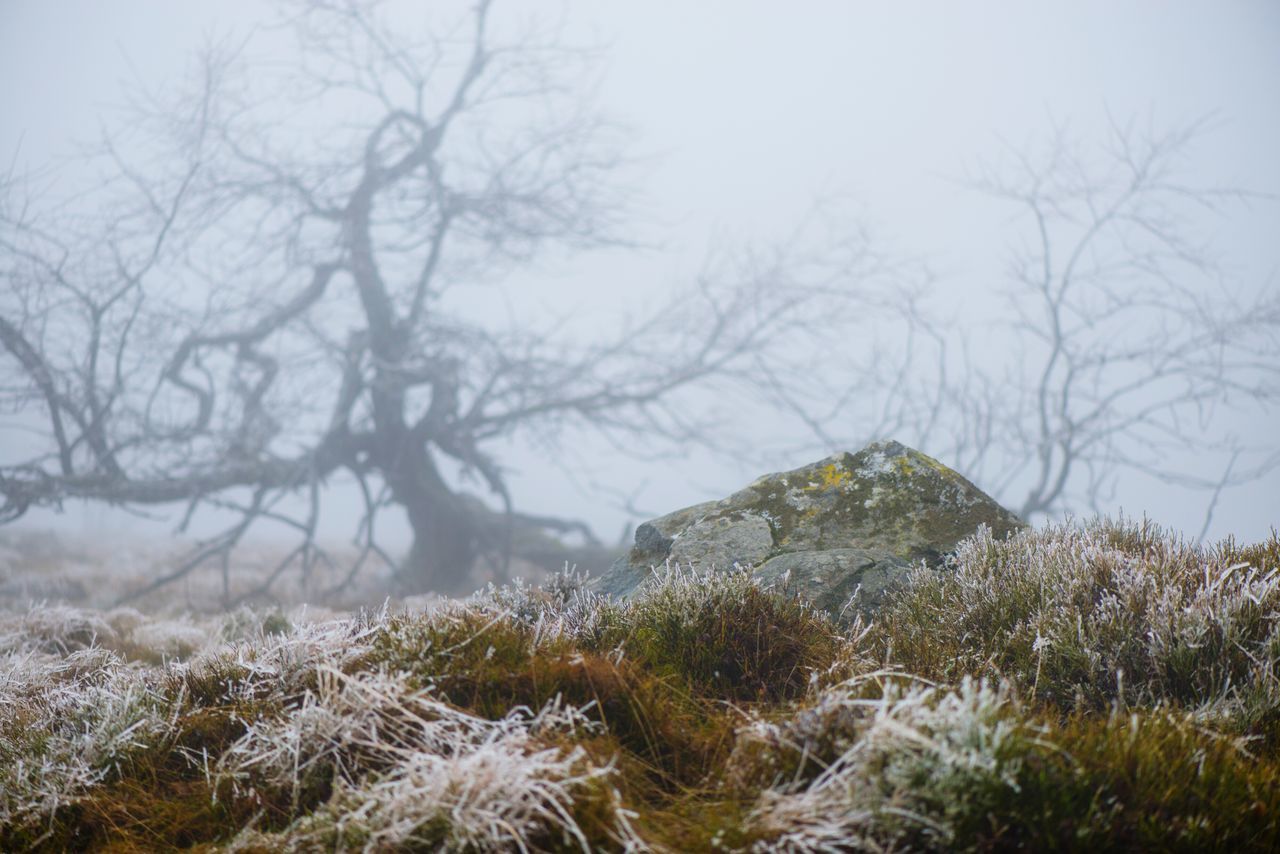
point(739, 124)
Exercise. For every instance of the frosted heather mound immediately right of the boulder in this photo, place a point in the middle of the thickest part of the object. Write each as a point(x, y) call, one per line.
point(1084, 616)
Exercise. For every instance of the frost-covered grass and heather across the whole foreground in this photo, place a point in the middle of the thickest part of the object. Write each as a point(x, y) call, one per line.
point(1087, 687)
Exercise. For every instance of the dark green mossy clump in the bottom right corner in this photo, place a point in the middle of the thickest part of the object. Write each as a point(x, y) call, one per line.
point(1137, 782)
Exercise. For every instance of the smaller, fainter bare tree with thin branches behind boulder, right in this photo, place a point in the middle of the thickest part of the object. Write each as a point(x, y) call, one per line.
point(1116, 345)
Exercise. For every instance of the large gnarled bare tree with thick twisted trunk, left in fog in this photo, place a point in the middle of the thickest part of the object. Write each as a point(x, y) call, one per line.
point(291, 275)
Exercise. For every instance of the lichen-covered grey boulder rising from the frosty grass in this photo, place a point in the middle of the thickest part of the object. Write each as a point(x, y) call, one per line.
point(829, 528)
